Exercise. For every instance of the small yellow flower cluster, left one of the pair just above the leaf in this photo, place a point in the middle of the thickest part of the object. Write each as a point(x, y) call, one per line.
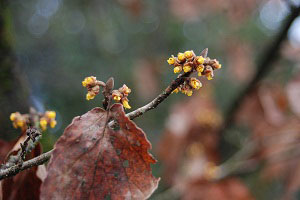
point(93, 86)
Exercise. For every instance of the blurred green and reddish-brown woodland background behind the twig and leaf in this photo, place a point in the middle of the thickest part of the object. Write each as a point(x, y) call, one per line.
point(48, 47)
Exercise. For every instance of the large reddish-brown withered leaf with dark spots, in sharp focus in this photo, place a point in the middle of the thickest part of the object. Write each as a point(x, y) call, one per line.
point(92, 161)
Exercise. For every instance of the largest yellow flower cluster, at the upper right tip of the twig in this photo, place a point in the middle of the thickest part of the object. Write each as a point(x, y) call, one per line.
point(189, 62)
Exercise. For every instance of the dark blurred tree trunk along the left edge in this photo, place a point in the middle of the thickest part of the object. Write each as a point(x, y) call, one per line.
point(13, 88)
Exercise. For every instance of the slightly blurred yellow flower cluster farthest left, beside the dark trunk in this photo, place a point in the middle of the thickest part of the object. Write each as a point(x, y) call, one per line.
point(22, 120)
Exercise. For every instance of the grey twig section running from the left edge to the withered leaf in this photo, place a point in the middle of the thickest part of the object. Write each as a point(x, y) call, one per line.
point(41, 159)
